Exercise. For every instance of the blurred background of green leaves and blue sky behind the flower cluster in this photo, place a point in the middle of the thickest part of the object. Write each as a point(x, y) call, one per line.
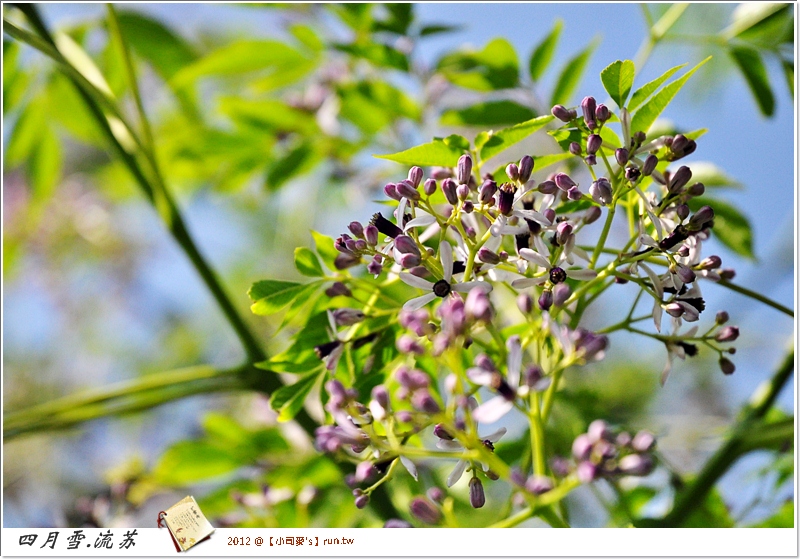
point(265, 119)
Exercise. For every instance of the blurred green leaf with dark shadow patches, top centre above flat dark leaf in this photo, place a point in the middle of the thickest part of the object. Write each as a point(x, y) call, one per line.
point(495, 67)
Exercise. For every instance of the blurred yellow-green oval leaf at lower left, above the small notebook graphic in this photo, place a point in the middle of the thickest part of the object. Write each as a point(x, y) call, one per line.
point(188, 462)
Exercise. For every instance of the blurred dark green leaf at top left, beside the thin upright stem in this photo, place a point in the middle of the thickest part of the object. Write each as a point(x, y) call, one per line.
point(156, 43)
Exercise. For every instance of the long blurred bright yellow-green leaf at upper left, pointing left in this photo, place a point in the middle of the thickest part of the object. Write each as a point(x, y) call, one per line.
point(239, 57)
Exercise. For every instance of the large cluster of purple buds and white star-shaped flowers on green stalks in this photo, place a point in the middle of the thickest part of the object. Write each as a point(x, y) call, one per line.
point(453, 239)
